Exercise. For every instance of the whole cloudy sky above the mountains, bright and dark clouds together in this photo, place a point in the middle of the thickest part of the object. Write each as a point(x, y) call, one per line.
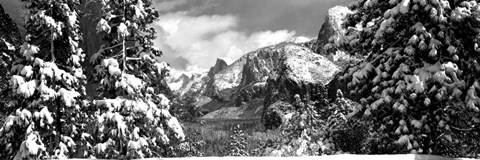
point(196, 32)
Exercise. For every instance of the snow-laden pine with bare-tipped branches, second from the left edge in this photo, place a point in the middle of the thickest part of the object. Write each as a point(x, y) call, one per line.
point(133, 118)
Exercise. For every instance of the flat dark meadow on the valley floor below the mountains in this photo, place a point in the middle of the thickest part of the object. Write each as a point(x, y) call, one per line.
point(216, 135)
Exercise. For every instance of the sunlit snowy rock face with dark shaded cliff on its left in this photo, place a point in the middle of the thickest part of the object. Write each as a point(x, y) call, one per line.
point(301, 73)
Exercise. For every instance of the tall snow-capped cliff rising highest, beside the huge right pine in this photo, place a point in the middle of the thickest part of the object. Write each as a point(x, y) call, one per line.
point(332, 28)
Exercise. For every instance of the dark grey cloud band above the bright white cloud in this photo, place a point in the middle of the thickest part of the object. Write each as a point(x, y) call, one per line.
point(303, 16)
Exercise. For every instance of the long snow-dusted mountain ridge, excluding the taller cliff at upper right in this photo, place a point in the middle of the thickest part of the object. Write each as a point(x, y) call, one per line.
point(260, 78)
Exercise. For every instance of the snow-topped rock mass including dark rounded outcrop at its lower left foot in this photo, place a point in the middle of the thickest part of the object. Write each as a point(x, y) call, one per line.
point(304, 76)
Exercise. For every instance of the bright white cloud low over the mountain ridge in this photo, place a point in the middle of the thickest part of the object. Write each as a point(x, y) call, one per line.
point(198, 40)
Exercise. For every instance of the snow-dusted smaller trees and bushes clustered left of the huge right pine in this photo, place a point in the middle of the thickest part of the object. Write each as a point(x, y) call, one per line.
point(305, 133)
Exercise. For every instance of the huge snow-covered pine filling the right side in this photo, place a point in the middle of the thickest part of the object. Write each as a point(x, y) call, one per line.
point(419, 82)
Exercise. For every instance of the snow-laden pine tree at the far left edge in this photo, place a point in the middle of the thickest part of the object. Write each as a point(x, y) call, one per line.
point(46, 84)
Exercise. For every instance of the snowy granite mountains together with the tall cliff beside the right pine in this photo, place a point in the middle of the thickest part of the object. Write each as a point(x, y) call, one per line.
point(253, 85)
